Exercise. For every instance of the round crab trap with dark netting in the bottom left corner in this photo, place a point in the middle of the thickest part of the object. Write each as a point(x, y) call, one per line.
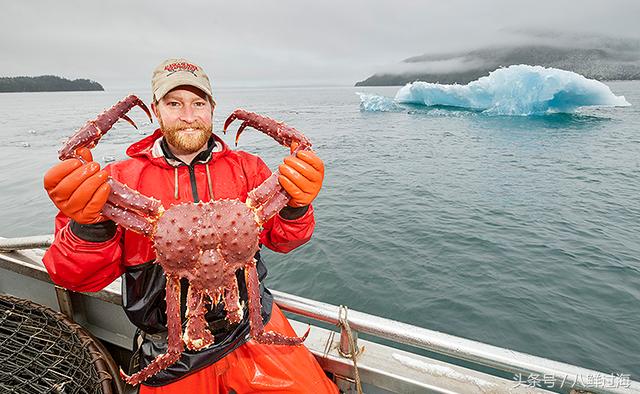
point(42, 351)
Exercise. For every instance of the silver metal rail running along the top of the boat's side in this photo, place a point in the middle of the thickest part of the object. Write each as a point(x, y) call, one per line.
point(458, 348)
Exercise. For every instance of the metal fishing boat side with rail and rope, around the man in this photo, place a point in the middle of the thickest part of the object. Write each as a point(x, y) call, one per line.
point(389, 357)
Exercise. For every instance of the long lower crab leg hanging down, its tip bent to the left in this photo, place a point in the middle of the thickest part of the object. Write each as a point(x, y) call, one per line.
point(174, 346)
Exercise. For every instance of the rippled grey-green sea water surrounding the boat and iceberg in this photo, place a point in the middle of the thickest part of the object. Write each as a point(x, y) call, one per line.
point(518, 231)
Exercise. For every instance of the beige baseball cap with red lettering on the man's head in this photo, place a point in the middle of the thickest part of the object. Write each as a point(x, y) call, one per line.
point(175, 72)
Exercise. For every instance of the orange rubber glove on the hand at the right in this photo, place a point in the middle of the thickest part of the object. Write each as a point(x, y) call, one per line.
point(301, 176)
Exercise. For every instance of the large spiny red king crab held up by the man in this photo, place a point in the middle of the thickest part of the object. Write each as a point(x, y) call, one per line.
point(206, 243)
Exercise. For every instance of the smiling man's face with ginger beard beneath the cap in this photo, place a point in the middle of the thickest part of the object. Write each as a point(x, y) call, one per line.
point(185, 115)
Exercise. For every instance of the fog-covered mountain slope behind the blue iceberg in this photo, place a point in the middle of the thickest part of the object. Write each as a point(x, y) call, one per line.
point(601, 63)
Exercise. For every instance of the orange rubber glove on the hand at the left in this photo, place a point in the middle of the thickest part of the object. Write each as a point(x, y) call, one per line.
point(79, 190)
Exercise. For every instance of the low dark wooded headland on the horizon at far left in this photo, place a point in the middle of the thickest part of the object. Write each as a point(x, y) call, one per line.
point(46, 83)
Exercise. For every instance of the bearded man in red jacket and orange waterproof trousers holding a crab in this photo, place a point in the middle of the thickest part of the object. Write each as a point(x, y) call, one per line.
point(183, 161)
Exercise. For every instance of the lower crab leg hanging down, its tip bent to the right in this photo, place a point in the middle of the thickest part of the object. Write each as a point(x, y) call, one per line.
point(257, 326)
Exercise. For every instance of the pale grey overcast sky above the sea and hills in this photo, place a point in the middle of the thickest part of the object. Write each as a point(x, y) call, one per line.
point(278, 43)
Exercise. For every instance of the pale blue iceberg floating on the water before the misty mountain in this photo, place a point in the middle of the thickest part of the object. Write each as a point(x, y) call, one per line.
point(519, 90)
